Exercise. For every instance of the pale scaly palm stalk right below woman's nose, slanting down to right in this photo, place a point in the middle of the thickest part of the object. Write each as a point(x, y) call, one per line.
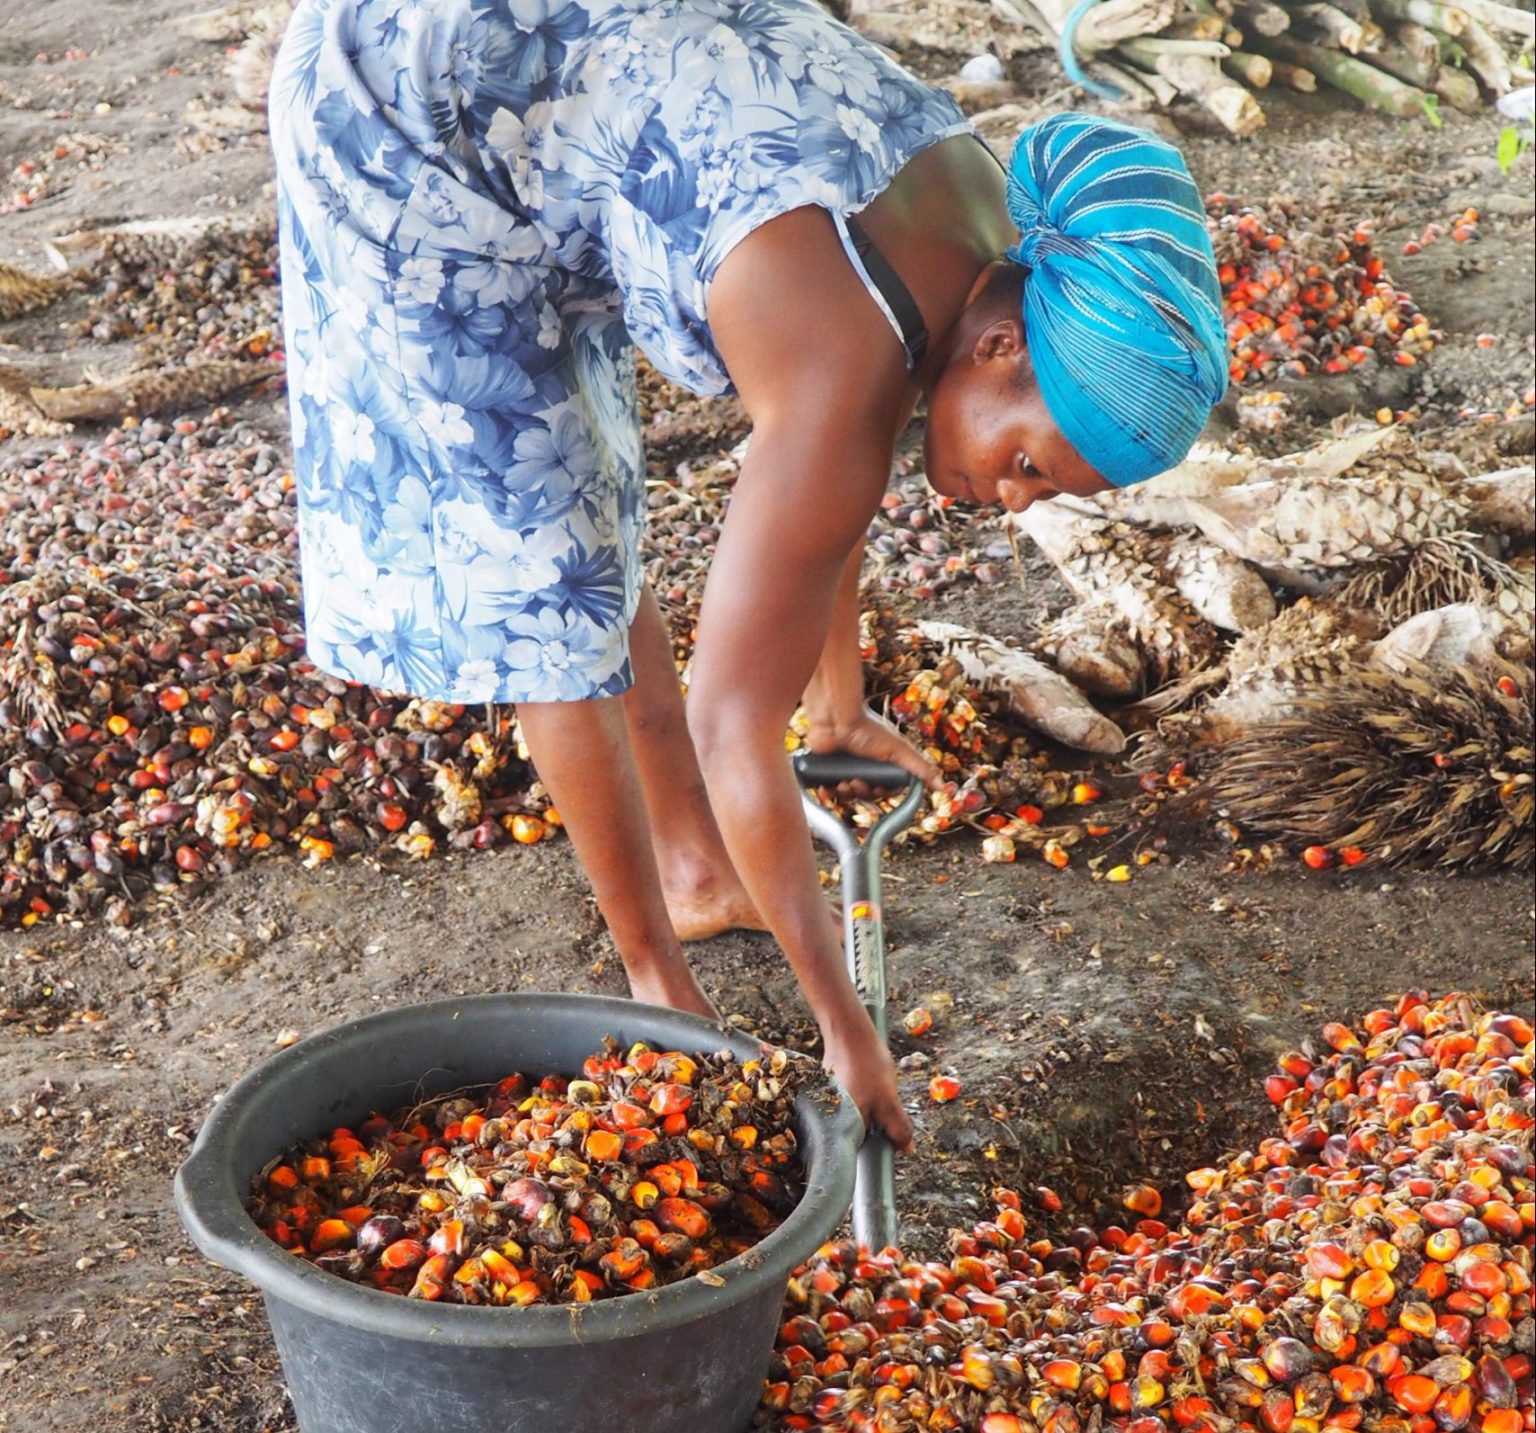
point(1119, 566)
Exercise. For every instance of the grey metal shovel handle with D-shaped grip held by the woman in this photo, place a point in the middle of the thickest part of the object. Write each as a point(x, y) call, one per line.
point(876, 1225)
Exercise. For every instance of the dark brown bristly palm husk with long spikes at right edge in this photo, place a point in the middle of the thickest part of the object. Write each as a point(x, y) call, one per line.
point(1432, 769)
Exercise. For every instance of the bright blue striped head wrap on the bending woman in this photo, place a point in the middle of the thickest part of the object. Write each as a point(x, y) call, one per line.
point(1122, 303)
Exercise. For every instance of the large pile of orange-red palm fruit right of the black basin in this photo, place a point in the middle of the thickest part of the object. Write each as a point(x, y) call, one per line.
point(1368, 1266)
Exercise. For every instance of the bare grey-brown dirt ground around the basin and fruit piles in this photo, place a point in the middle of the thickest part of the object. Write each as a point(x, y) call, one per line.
point(1102, 1033)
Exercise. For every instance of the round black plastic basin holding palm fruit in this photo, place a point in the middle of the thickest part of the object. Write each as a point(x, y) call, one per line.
point(687, 1359)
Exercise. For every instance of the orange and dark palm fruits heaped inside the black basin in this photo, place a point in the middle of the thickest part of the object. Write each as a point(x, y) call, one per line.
point(647, 1168)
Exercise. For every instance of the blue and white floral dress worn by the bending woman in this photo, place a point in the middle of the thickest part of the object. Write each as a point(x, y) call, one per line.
point(483, 207)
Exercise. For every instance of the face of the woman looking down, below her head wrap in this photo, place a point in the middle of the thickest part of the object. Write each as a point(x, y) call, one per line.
point(990, 435)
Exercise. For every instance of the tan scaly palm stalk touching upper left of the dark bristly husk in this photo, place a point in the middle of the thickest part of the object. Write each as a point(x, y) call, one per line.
point(1270, 672)
